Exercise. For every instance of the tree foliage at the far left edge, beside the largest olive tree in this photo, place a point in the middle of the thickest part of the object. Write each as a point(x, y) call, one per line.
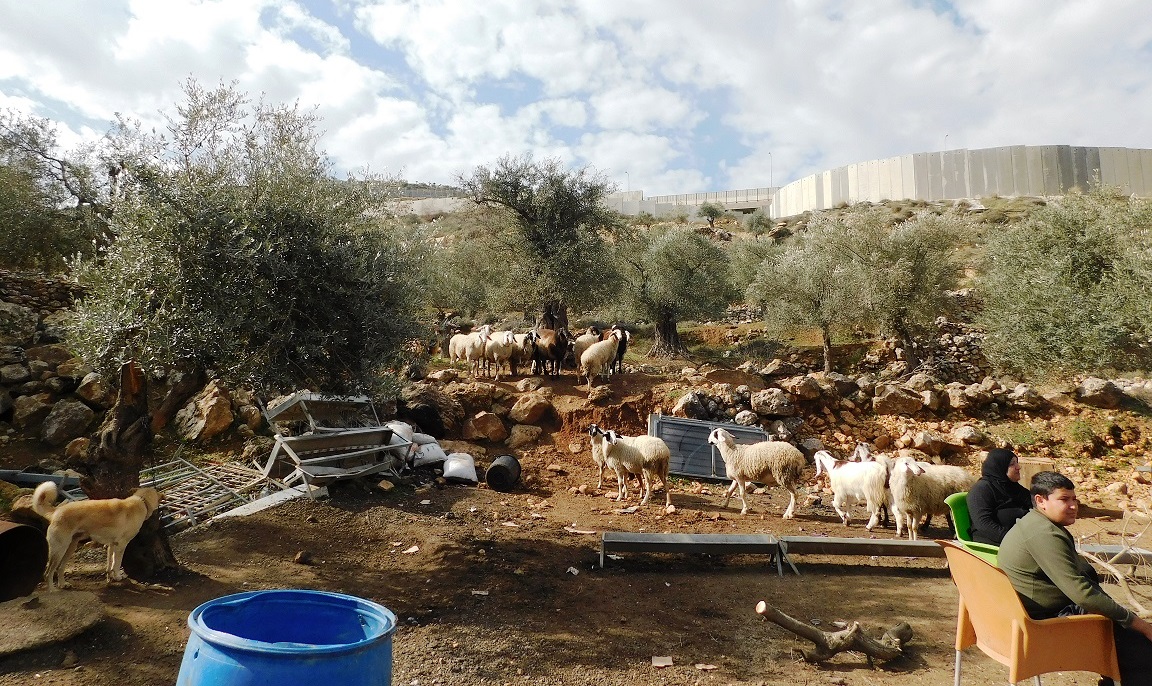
point(36, 186)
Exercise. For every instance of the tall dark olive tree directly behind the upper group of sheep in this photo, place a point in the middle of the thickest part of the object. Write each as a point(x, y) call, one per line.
point(554, 258)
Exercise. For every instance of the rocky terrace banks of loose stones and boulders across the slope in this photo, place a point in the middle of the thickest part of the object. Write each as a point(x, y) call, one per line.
point(1096, 431)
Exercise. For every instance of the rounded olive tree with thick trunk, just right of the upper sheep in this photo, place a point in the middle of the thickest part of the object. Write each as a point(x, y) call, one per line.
point(672, 276)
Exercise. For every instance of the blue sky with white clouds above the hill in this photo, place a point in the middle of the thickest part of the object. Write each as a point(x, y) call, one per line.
point(669, 96)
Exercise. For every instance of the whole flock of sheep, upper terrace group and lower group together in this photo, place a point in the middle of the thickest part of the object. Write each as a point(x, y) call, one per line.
point(914, 492)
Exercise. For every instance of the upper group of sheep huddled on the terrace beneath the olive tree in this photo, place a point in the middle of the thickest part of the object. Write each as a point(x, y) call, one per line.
point(595, 353)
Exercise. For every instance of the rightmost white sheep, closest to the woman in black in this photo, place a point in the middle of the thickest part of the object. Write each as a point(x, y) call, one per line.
point(919, 491)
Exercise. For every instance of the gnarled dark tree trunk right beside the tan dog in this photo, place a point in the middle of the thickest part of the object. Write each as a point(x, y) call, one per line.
point(111, 469)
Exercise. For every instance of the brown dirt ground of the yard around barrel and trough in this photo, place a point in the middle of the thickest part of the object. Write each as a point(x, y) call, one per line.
point(505, 589)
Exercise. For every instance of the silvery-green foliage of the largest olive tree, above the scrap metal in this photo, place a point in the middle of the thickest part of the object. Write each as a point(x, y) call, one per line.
point(239, 254)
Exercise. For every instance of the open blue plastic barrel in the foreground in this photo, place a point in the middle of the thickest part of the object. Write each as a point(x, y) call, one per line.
point(285, 638)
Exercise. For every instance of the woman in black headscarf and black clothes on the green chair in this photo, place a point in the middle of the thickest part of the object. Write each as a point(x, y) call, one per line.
point(997, 501)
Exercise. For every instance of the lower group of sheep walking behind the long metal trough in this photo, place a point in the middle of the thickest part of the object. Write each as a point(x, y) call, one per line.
point(914, 492)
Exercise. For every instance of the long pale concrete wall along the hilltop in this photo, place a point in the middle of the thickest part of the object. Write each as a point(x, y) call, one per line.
point(944, 176)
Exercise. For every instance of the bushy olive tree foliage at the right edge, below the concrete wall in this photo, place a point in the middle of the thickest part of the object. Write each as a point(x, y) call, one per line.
point(1067, 290)
